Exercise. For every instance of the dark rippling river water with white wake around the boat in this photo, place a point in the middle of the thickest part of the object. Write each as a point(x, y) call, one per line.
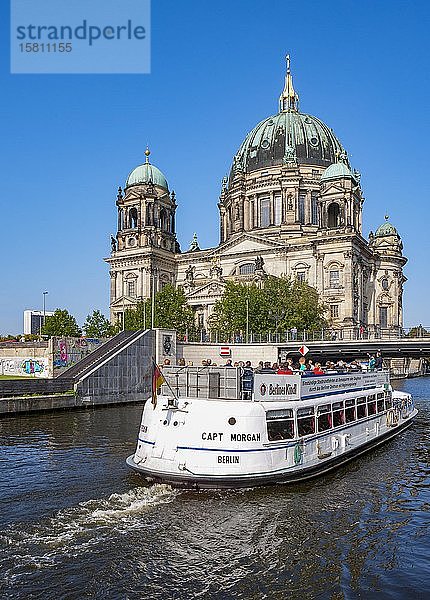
point(76, 523)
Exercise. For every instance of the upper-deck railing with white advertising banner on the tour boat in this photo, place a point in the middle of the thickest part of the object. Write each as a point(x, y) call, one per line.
point(238, 383)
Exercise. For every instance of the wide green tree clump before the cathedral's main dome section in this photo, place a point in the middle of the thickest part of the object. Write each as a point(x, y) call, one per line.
point(275, 306)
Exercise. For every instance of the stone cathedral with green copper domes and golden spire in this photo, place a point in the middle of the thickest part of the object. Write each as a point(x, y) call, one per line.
point(291, 205)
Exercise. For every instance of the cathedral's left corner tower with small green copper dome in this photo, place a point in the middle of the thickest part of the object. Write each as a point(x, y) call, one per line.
point(145, 245)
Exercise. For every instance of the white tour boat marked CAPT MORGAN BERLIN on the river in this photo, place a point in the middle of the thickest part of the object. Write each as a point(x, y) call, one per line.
point(207, 429)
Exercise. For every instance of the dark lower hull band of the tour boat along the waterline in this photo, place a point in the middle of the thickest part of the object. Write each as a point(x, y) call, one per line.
point(286, 476)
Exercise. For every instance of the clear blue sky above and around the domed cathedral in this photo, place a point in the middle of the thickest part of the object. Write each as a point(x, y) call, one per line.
point(68, 141)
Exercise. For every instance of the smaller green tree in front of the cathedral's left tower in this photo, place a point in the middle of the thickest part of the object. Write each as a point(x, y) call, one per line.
point(171, 312)
